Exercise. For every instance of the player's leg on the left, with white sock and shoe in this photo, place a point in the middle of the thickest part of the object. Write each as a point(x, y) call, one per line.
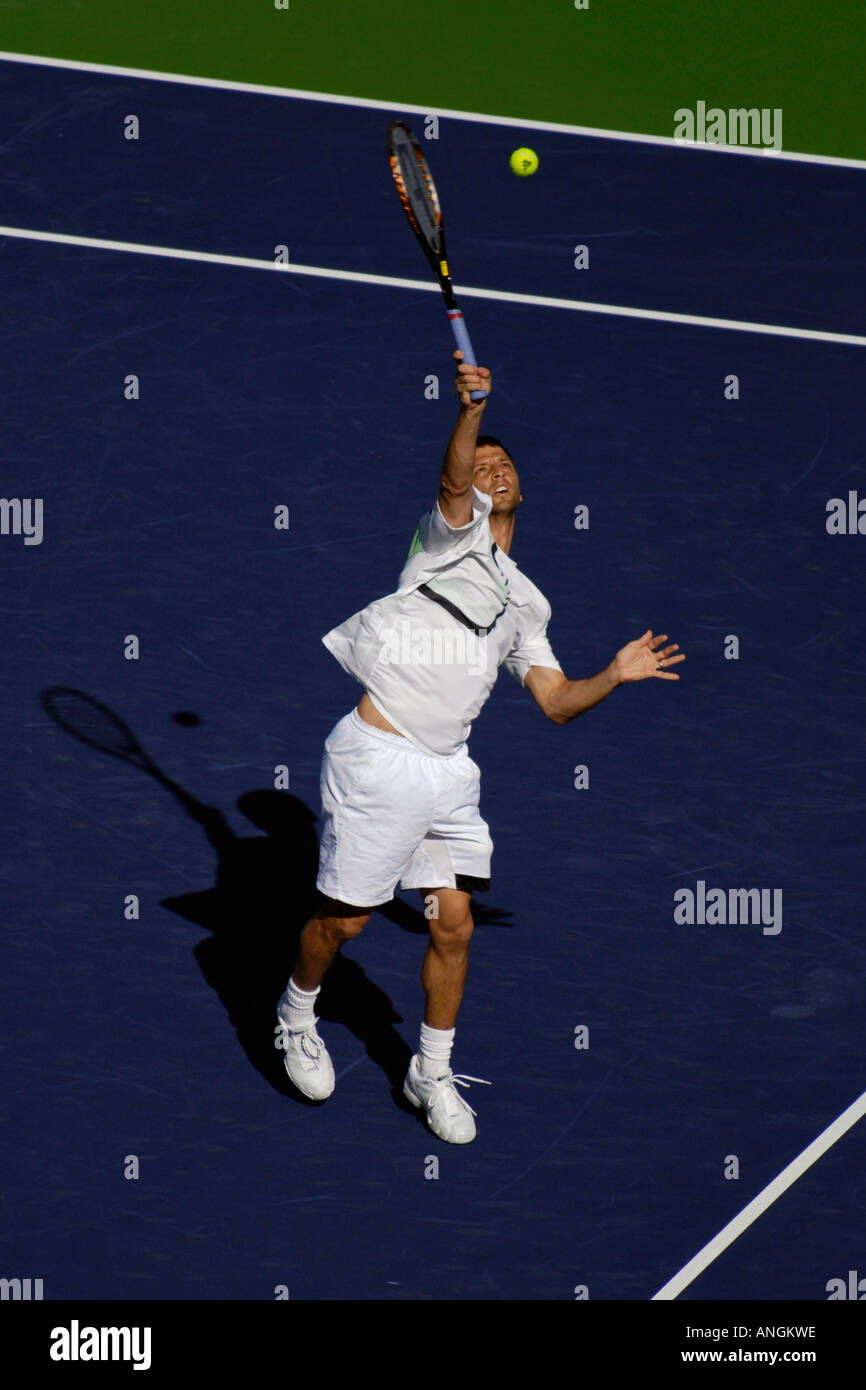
point(305, 1054)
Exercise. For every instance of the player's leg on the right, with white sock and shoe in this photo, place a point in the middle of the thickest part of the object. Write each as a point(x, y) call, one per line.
point(430, 1081)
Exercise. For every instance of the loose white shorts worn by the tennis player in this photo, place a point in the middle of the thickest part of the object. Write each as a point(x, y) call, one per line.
point(394, 814)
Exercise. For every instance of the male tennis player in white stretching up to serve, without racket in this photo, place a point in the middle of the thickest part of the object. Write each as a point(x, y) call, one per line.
point(400, 789)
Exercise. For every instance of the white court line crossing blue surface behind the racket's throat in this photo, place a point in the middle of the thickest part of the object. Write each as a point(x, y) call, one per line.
point(465, 291)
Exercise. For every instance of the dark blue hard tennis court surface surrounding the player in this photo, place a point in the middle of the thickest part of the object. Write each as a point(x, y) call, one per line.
point(597, 1168)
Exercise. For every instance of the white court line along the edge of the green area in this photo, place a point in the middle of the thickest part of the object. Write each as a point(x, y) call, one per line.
point(373, 104)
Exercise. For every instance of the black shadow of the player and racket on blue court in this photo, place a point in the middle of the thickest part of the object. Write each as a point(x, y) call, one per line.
point(263, 894)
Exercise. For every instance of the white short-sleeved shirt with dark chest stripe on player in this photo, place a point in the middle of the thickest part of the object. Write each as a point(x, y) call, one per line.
point(430, 664)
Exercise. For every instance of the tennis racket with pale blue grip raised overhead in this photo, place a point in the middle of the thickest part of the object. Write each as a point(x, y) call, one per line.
point(422, 206)
